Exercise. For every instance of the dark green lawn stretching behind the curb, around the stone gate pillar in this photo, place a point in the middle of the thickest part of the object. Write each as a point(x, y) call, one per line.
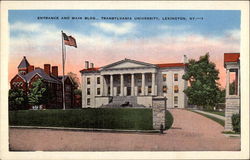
point(108, 118)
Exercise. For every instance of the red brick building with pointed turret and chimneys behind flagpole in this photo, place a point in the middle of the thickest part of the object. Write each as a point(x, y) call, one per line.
point(28, 74)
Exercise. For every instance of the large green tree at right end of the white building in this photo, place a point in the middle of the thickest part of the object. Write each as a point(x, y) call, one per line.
point(202, 76)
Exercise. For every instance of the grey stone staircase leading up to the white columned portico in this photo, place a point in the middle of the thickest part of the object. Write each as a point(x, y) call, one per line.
point(123, 101)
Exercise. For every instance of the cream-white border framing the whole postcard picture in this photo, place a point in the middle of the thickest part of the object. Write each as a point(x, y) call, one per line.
point(200, 5)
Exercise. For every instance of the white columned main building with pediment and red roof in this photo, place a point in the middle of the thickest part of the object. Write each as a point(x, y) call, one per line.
point(133, 83)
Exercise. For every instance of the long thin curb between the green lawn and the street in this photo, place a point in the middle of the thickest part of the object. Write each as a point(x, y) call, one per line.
point(86, 129)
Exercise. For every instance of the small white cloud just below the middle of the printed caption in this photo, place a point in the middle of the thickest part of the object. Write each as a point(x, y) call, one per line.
point(118, 29)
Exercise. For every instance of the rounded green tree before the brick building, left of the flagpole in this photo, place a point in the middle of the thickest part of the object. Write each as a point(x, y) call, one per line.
point(39, 93)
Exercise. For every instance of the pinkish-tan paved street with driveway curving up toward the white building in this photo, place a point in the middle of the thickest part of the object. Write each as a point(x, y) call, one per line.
point(190, 132)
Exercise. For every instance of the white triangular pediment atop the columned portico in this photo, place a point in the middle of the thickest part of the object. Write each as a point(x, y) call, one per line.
point(128, 63)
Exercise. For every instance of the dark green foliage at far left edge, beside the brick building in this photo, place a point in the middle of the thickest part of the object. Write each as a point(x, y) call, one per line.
point(17, 99)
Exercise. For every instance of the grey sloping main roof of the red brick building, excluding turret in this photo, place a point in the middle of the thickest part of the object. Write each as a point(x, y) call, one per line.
point(42, 74)
